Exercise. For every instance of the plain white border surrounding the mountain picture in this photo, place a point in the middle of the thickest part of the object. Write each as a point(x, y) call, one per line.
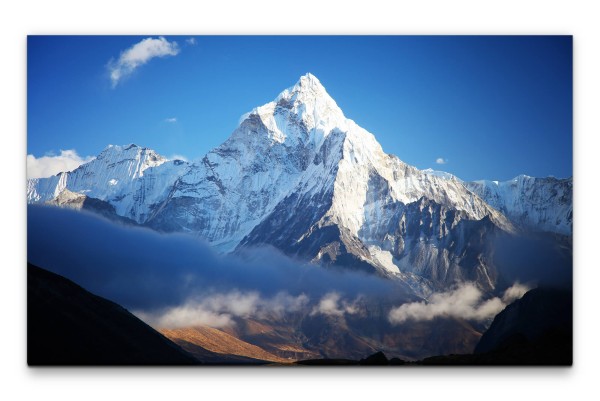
point(18, 19)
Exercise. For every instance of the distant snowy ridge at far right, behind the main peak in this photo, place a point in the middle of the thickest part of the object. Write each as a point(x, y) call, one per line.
point(539, 204)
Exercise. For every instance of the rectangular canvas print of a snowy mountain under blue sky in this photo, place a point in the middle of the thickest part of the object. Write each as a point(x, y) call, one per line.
point(299, 200)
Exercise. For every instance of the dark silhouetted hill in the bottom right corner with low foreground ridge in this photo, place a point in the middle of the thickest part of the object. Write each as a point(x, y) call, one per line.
point(534, 330)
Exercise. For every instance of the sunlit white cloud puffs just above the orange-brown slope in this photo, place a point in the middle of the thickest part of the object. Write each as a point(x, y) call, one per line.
point(220, 309)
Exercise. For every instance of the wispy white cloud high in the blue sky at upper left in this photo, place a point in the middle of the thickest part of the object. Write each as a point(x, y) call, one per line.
point(138, 55)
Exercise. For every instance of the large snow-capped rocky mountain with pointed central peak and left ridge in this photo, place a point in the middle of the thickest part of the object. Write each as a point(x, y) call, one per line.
point(298, 175)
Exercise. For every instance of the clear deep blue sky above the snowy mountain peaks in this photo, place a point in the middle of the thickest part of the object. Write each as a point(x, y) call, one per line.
point(489, 107)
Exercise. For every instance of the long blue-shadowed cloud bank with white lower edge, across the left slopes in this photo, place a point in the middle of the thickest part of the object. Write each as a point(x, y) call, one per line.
point(174, 280)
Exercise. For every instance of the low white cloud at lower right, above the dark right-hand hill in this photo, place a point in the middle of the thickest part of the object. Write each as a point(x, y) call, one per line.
point(465, 302)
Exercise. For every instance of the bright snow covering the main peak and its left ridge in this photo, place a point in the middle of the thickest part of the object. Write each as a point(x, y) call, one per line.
point(299, 144)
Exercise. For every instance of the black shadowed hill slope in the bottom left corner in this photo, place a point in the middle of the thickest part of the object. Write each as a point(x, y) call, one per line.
point(67, 325)
